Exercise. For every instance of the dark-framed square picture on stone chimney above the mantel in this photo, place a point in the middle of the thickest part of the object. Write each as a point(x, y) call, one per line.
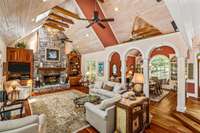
point(52, 54)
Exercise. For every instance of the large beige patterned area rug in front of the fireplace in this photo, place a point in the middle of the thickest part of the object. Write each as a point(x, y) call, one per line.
point(62, 115)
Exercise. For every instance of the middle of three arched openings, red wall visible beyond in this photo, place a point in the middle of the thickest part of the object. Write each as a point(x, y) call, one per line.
point(134, 66)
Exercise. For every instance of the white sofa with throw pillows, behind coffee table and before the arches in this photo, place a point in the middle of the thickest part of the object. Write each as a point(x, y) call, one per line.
point(97, 89)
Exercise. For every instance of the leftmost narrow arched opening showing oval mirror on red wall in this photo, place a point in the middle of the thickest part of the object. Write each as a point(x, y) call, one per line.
point(115, 67)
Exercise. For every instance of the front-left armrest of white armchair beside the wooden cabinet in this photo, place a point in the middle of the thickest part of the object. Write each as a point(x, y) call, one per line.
point(94, 109)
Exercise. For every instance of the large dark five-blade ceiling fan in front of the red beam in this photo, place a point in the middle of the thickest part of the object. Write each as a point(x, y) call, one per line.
point(96, 19)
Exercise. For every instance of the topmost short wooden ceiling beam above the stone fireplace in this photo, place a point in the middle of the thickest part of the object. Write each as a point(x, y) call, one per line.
point(65, 12)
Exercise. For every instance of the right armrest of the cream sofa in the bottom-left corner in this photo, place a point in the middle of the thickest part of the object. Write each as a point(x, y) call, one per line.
point(42, 123)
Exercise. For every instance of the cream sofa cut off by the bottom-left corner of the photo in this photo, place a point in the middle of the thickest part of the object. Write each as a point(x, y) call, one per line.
point(29, 124)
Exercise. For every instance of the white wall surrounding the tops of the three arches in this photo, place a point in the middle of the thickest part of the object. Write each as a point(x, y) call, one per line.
point(145, 46)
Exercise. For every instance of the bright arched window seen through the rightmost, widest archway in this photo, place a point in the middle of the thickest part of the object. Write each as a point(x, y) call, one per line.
point(160, 67)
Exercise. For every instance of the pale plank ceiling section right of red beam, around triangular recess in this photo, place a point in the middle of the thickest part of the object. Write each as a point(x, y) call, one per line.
point(125, 11)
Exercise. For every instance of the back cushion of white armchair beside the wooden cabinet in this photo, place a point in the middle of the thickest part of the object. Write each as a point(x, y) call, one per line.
point(109, 102)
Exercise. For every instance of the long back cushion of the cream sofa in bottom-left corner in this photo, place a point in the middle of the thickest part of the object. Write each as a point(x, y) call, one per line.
point(18, 123)
